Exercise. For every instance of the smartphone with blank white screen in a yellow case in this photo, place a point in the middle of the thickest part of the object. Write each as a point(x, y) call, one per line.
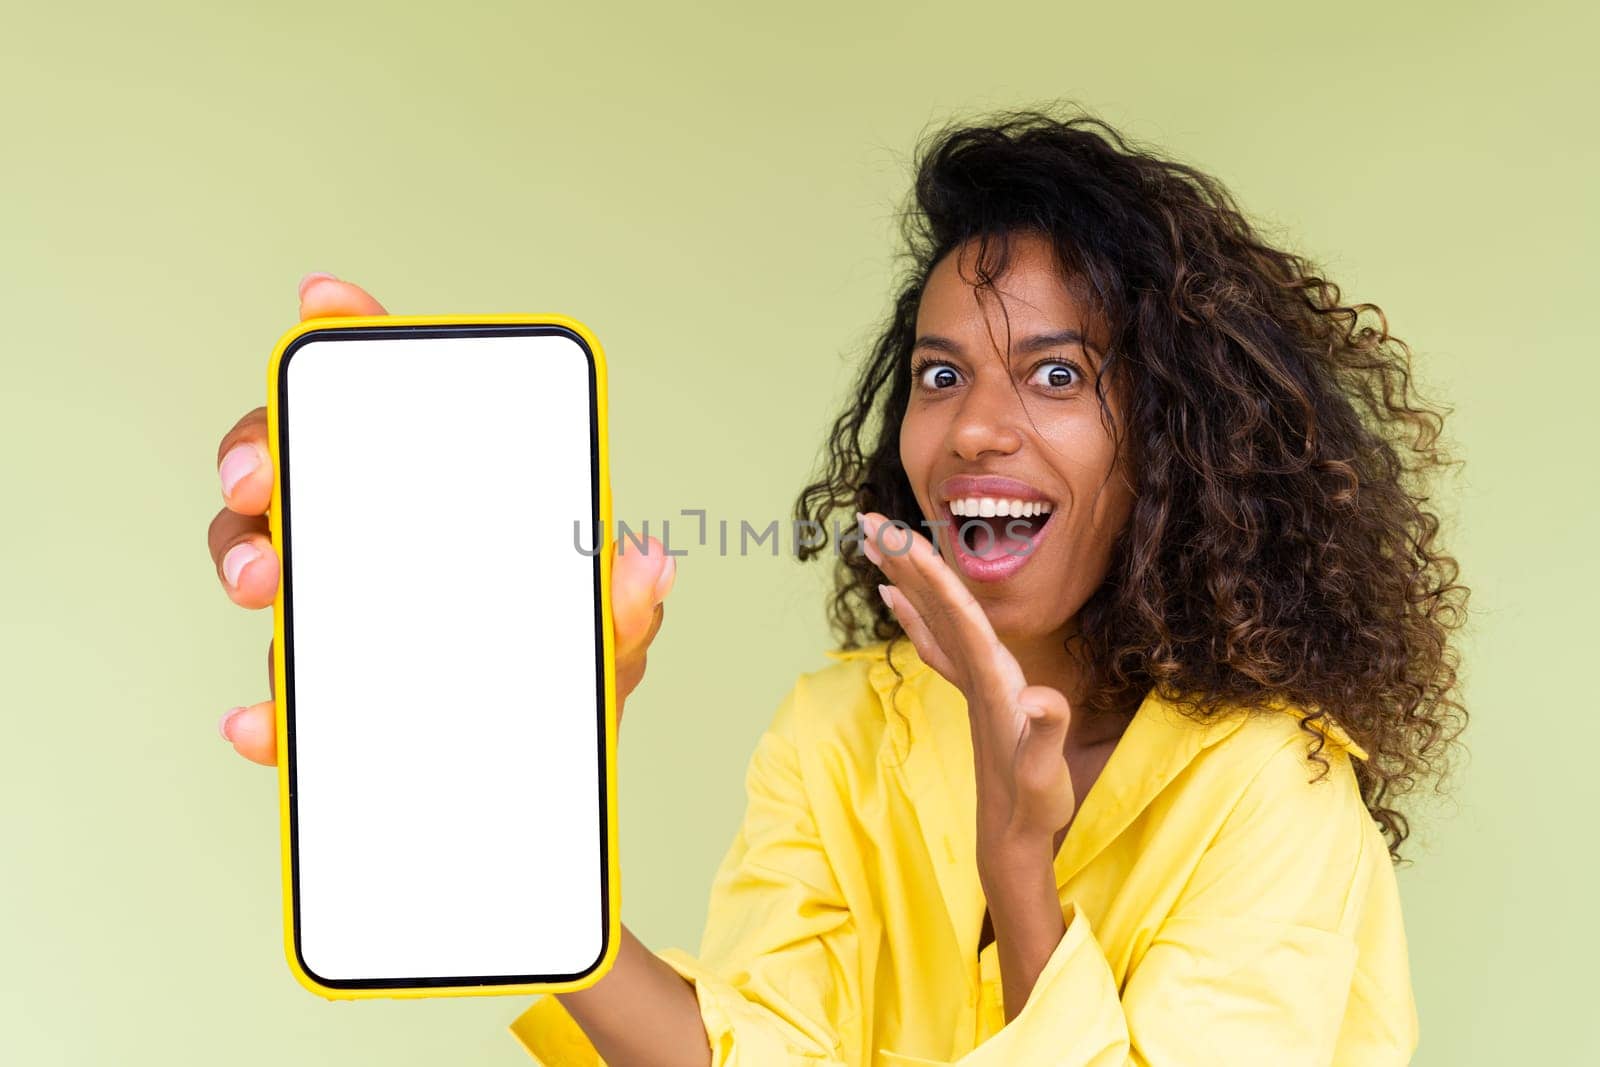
point(444, 655)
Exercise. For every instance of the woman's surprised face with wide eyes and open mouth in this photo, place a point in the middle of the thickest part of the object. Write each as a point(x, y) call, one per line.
point(988, 447)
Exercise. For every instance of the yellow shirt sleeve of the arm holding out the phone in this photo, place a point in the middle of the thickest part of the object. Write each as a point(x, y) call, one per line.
point(777, 977)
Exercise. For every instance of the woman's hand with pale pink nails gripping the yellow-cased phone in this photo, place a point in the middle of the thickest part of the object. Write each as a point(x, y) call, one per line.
point(241, 545)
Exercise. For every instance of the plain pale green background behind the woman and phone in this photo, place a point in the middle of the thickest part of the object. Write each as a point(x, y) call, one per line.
point(711, 190)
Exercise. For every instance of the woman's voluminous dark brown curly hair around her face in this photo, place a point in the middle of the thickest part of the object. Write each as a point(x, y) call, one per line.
point(1279, 546)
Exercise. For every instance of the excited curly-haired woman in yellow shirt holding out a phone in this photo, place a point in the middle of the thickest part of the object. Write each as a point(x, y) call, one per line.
point(1146, 633)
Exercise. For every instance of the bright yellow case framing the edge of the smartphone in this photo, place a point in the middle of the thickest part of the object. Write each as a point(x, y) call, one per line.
point(614, 901)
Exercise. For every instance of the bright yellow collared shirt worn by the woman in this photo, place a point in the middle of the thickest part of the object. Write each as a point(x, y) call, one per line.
point(1220, 906)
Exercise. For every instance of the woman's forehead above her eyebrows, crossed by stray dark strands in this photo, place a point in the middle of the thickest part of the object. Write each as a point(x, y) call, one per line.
point(1033, 292)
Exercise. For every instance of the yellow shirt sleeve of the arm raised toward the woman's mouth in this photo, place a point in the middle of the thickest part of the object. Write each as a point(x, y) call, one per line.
point(1252, 967)
